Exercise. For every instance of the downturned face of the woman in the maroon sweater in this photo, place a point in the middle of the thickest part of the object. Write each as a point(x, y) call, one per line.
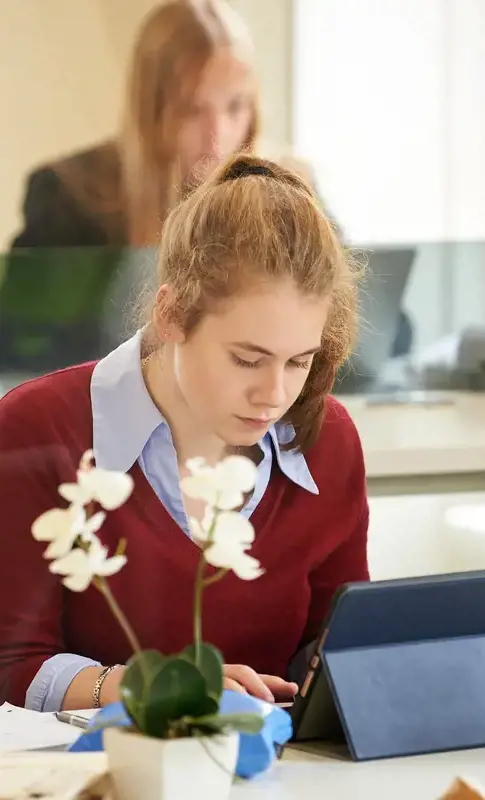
point(243, 367)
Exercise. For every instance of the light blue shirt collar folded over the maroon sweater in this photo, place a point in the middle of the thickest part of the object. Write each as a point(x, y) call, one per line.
point(124, 418)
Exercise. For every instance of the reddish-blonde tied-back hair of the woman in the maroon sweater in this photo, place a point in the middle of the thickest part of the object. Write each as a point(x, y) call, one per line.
point(255, 220)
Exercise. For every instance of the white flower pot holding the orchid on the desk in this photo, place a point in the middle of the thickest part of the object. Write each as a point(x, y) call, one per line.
point(170, 769)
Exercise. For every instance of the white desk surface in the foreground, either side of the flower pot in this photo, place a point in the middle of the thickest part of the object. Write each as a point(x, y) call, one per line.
point(299, 775)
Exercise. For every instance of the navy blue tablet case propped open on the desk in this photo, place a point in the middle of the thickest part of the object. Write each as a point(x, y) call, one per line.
point(400, 669)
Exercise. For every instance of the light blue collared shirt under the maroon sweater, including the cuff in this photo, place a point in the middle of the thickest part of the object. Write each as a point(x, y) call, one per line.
point(119, 394)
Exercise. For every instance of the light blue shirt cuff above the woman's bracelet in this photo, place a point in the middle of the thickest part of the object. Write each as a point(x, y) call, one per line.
point(47, 690)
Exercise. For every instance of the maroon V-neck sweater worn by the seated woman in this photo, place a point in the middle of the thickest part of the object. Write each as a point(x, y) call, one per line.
point(308, 545)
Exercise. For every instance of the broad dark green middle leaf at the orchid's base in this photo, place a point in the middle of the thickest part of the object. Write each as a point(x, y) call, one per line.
point(178, 690)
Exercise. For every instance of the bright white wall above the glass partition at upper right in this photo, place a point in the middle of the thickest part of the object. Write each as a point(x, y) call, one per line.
point(390, 101)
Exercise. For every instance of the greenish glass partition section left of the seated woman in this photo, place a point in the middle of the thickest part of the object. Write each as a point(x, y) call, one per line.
point(62, 306)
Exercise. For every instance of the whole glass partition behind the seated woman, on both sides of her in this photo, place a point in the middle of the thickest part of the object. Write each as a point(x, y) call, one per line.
point(422, 323)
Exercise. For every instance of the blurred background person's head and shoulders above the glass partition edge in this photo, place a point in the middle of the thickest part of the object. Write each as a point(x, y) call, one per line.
point(191, 101)
